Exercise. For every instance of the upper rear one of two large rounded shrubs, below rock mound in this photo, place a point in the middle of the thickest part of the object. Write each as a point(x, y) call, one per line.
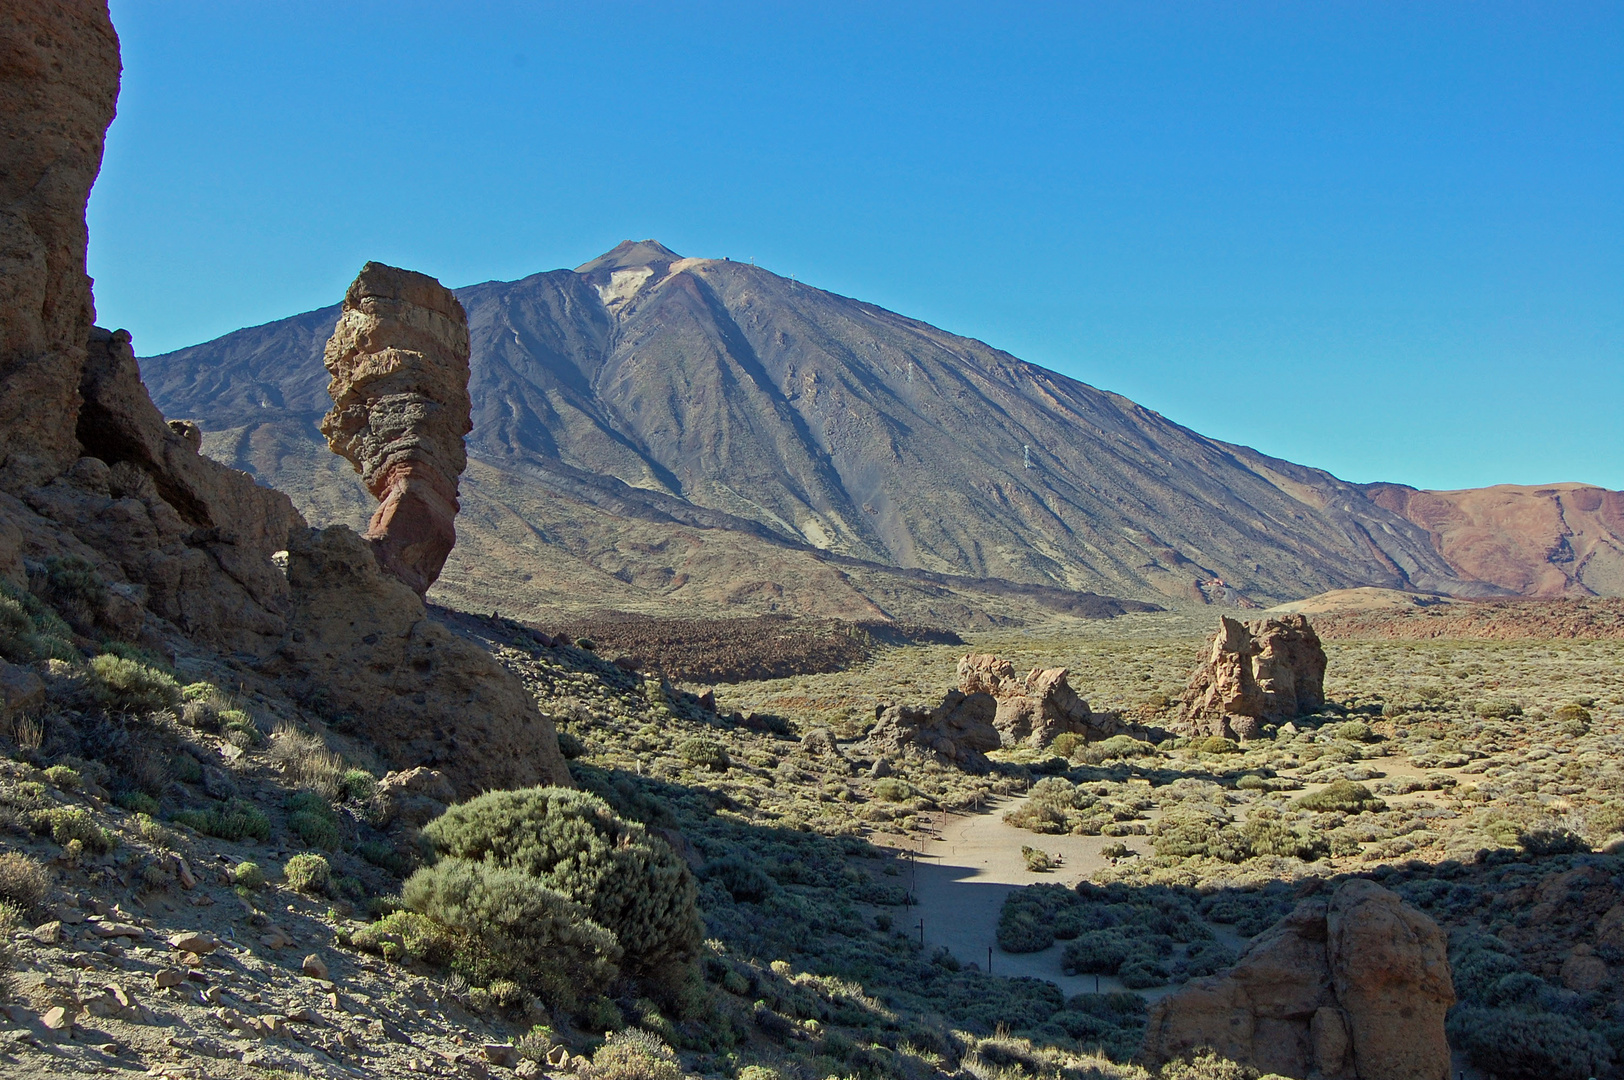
point(572, 842)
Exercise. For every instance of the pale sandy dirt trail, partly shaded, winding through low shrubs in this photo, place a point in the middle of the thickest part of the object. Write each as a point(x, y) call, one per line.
point(972, 865)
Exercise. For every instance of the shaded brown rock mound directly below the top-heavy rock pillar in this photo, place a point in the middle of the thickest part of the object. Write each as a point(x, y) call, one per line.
point(365, 647)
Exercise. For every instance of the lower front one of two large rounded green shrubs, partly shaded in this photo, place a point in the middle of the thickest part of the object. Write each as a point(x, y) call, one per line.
point(514, 927)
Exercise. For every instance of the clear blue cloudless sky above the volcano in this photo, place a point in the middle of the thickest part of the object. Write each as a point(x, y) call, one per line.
point(1384, 240)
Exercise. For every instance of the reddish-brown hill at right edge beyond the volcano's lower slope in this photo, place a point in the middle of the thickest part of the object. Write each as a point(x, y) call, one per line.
point(1563, 540)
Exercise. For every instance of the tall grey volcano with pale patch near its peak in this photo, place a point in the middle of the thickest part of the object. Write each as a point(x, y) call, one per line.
point(722, 395)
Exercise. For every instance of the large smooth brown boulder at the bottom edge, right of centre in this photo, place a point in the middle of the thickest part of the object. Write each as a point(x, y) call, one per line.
point(1349, 990)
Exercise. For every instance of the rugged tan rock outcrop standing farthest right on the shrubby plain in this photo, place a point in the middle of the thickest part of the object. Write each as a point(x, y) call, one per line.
point(1255, 673)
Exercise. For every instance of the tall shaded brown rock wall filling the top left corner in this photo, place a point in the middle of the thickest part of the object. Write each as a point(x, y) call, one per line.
point(59, 84)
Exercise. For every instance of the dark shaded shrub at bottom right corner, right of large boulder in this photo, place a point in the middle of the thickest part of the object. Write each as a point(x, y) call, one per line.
point(1529, 1045)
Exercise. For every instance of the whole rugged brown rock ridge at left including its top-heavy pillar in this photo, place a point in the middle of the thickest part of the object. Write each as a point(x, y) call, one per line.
point(93, 477)
